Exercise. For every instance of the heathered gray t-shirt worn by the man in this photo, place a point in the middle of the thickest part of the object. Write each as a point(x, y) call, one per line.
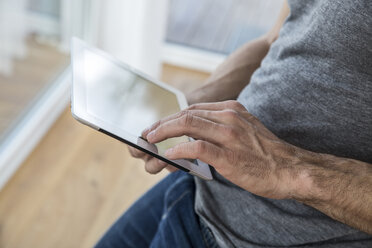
point(313, 90)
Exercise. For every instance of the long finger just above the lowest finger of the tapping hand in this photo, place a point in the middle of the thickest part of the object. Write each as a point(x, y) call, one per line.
point(190, 125)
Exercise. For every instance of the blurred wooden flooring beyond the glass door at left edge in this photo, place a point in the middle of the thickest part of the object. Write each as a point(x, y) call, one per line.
point(30, 76)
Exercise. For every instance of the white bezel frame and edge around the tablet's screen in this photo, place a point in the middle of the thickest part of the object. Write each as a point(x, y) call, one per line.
point(79, 109)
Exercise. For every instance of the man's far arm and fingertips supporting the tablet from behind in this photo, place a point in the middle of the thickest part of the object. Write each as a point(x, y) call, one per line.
point(227, 81)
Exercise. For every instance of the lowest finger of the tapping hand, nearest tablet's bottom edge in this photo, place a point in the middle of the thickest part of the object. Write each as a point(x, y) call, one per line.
point(199, 149)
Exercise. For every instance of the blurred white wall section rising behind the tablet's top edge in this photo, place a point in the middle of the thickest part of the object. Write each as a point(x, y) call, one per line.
point(134, 31)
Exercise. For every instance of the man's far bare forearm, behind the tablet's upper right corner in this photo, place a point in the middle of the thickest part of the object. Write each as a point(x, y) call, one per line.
point(232, 75)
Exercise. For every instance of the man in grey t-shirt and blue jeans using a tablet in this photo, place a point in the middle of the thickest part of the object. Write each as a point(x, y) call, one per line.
point(292, 156)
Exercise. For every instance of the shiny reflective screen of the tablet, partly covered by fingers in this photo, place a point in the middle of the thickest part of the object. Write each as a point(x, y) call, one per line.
point(126, 100)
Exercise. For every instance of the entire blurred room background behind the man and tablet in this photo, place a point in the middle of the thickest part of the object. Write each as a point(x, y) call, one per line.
point(61, 183)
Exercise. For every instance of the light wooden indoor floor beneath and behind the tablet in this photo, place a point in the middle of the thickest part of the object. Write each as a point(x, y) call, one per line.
point(75, 183)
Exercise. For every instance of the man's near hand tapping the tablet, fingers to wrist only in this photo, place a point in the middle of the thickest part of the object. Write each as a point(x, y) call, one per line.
point(233, 141)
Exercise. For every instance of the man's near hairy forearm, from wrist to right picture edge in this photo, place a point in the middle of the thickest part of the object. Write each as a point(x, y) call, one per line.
point(340, 188)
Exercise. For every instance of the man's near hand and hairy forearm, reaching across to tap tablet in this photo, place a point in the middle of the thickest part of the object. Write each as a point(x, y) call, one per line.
point(241, 149)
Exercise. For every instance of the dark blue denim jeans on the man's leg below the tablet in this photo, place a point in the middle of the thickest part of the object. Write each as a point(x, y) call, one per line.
point(163, 217)
